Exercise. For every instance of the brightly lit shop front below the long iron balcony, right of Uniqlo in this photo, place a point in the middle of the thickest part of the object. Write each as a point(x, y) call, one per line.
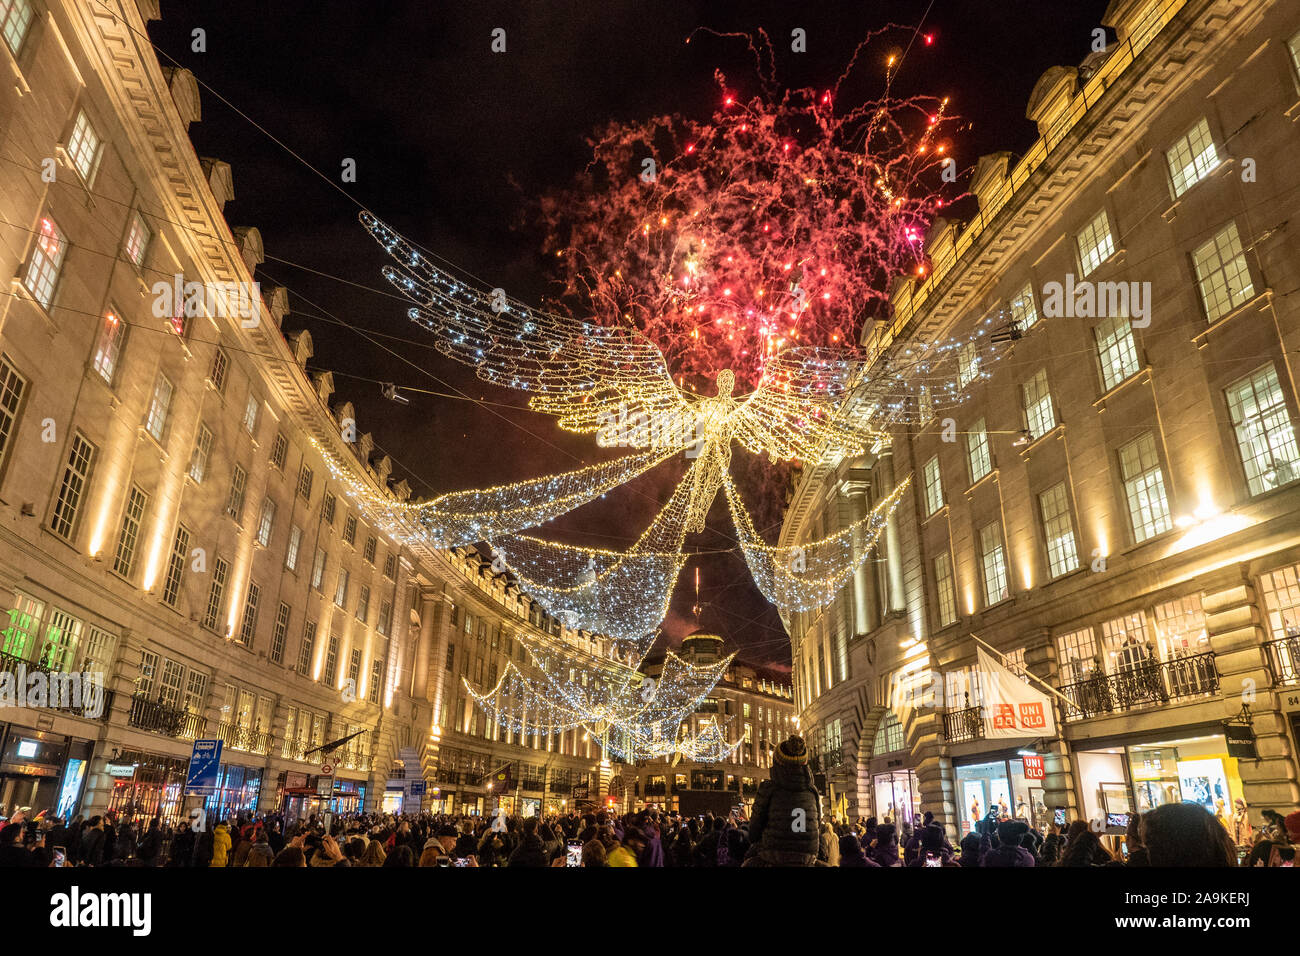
point(1137, 776)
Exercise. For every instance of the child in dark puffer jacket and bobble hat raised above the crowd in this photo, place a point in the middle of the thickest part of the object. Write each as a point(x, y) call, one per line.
point(783, 830)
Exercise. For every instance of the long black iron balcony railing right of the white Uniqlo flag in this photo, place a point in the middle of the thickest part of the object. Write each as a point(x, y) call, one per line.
point(1142, 687)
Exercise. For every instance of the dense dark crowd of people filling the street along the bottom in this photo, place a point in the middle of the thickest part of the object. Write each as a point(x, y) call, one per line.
point(783, 830)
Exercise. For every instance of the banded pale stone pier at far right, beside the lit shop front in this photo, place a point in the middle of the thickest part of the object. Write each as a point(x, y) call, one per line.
point(1237, 637)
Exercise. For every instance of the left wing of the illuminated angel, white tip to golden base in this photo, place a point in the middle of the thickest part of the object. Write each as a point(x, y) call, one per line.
point(592, 378)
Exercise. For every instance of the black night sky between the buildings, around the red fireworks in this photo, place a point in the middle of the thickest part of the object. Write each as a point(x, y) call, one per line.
point(453, 144)
